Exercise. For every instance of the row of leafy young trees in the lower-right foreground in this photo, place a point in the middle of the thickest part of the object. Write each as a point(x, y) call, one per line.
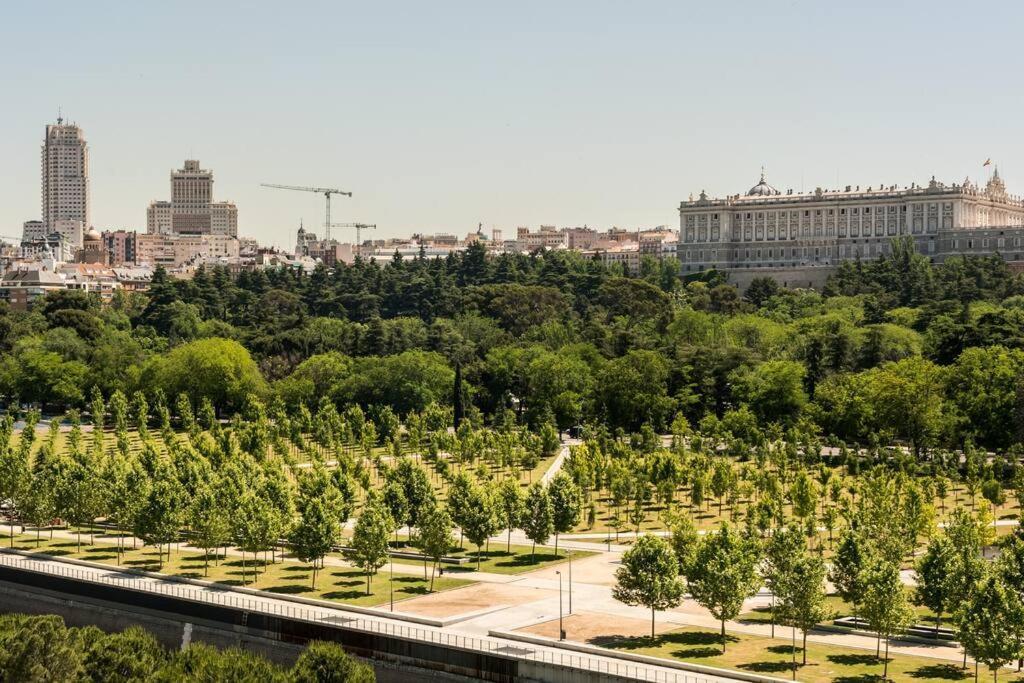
point(723, 569)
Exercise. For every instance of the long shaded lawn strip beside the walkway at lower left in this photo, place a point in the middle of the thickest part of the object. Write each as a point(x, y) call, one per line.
point(340, 584)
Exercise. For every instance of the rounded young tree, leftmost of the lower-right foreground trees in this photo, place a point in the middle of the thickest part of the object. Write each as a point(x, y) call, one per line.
point(650, 577)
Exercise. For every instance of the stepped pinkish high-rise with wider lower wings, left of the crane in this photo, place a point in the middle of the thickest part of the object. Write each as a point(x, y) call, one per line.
point(192, 209)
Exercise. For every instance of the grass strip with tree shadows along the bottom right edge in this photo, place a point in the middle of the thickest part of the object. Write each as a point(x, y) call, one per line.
point(773, 657)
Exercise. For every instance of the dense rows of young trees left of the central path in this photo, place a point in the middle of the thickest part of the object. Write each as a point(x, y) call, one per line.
point(221, 486)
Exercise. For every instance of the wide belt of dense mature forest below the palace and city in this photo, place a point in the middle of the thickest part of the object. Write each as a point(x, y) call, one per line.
point(897, 350)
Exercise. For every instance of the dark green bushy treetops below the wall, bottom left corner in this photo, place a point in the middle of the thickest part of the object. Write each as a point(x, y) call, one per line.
point(42, 649)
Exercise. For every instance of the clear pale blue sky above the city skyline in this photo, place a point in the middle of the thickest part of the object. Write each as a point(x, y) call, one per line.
point(441, 116)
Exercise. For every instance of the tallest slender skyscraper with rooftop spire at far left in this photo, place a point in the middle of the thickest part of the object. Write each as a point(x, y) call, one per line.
point(65, 176)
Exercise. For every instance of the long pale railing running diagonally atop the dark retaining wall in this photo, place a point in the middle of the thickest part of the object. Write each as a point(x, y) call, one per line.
point(226, 597)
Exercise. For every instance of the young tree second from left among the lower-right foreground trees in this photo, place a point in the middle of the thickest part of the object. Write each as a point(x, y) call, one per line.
point(723, 575)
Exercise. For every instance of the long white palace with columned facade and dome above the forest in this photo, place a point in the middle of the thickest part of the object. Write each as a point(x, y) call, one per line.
point(798, 238)
